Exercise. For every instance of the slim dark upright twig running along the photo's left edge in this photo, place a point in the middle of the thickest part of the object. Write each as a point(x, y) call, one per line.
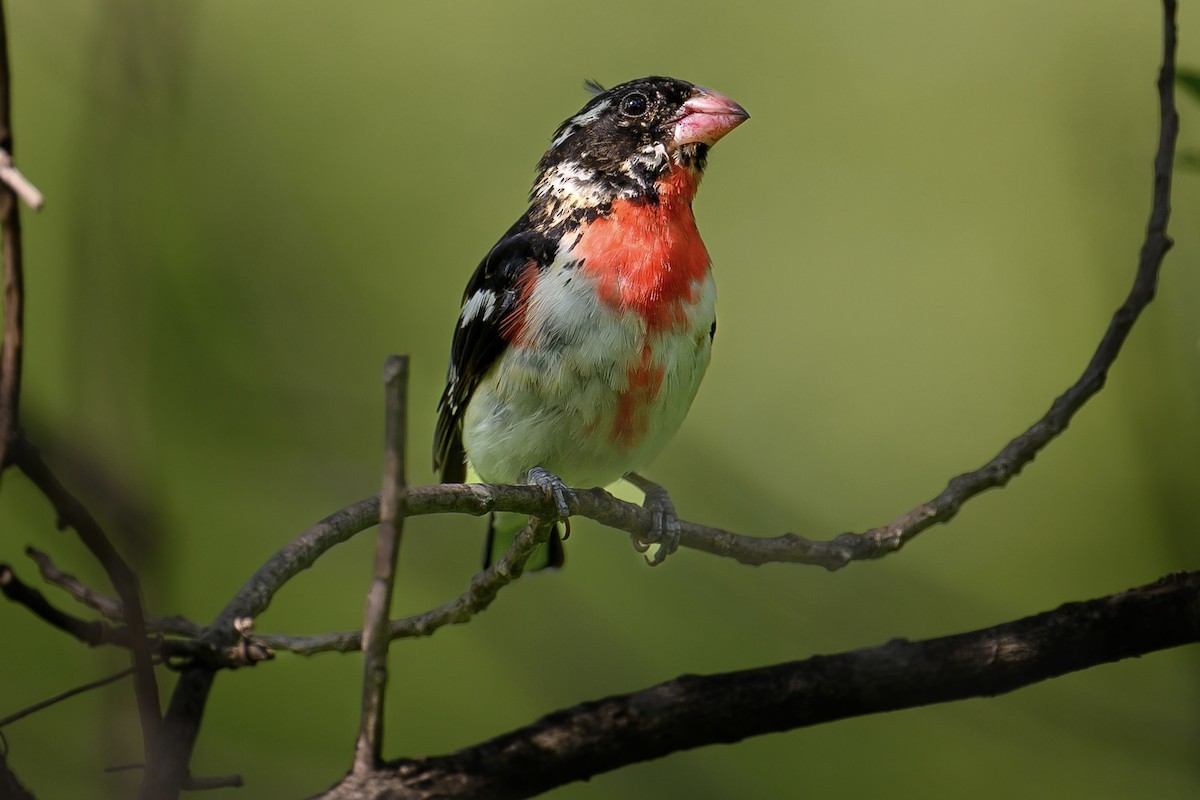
point(14, 274)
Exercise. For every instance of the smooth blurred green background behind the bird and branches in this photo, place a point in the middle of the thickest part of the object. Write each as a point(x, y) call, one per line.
point(919, 237)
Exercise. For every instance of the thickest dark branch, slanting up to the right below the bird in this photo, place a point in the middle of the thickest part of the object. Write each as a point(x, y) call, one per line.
point(695, 711)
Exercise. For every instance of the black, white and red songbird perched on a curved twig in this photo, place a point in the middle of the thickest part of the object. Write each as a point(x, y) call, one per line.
point(586, 330)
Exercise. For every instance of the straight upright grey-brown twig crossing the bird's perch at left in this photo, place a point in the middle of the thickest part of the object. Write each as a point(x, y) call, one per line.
point(368, 751)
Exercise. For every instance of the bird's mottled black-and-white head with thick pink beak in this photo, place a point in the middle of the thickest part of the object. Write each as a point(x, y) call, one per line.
point(629, 137)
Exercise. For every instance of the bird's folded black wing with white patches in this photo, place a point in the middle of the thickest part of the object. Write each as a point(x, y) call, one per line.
point(488, 308)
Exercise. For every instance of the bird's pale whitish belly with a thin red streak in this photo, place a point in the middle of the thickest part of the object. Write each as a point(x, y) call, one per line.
point(574, 401)
